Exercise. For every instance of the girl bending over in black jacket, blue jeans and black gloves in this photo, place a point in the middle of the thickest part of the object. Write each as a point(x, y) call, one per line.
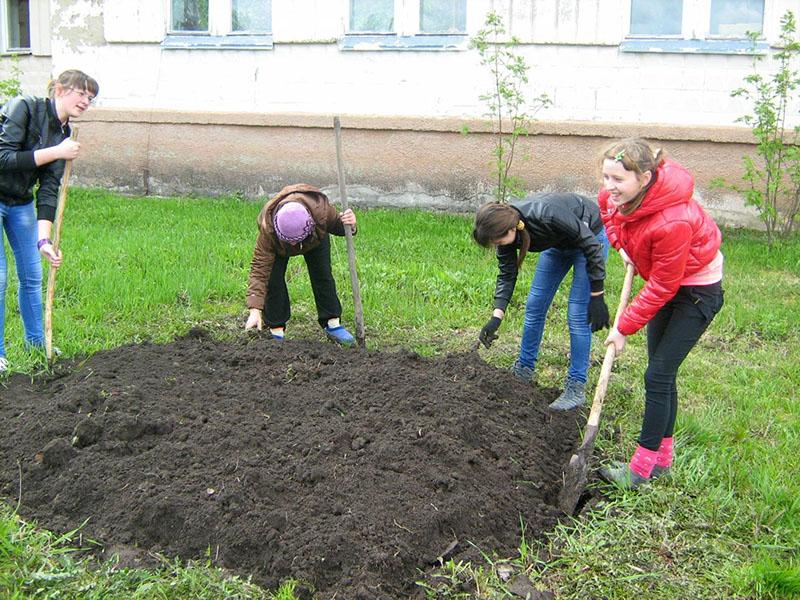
point(568, 231)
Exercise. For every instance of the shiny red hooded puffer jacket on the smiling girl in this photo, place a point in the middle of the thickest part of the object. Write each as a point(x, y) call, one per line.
point(668, 238)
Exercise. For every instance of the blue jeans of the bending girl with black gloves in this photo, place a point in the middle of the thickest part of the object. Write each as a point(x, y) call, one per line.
point(553, 266)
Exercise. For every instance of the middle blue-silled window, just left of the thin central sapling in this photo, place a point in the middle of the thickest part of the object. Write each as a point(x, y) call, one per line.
point(407, 24)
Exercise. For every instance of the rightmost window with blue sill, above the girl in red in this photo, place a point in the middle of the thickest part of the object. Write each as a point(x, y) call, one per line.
point(705, 26)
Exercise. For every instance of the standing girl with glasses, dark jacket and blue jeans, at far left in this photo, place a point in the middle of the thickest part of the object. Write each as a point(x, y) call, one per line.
point(34, 143)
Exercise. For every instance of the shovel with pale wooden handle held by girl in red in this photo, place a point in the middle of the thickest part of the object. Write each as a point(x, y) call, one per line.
point(576, 473)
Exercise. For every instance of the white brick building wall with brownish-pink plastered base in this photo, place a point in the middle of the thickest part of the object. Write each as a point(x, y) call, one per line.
point(212, 121)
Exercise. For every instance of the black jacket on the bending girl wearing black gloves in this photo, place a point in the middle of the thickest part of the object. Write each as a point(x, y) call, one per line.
point(553, 220)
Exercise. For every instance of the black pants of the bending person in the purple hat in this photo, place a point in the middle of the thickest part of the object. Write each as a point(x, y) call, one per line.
point(277, 310)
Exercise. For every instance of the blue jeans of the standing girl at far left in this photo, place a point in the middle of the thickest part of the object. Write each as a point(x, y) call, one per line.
point(19, 224)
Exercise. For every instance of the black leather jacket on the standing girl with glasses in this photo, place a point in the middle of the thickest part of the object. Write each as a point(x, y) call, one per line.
point(28, 124)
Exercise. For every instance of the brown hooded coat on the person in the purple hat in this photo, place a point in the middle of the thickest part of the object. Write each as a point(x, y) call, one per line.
point(326, 219)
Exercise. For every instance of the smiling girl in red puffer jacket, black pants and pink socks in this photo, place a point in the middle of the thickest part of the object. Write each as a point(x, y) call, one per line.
point(652, 219)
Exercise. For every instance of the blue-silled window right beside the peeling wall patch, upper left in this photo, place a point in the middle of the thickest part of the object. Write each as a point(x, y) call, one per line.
point(244, 24)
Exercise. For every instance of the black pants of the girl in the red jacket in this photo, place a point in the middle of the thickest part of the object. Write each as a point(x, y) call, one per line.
point(671, 334)
